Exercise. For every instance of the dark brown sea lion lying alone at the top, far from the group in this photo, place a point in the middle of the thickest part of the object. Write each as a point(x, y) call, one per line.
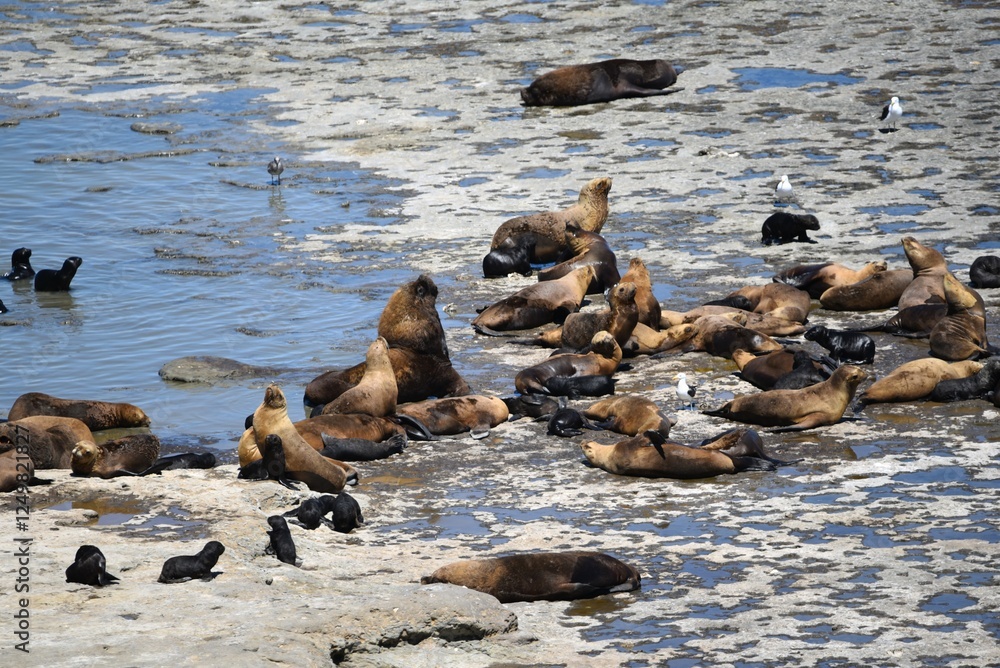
point(602, 81)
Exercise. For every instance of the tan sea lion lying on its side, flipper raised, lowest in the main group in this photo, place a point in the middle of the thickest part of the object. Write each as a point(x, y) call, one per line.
point(651, 455)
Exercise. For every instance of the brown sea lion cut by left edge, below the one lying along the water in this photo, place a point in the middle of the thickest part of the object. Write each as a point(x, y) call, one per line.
point(50, 440)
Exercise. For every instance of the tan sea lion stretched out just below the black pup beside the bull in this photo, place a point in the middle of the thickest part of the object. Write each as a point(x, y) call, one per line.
point(538, 304)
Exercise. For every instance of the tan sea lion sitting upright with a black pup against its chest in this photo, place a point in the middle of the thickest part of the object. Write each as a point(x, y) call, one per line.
point(302, 462)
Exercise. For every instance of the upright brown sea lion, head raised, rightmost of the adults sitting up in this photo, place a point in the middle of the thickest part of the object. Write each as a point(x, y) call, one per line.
point(962, 333)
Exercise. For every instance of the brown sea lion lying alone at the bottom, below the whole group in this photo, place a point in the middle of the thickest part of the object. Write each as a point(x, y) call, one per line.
point(540, 576)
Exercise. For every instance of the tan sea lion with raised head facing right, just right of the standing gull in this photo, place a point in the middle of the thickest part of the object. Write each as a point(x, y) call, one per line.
point(813, 406)
